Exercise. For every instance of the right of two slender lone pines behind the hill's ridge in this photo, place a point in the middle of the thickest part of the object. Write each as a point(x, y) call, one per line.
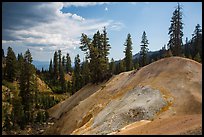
point(144, 49)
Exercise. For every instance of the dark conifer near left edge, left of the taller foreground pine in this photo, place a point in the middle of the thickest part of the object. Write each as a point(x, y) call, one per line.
point(11, 65)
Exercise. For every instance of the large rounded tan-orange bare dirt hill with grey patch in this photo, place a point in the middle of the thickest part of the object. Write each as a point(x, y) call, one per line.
point(167, 92)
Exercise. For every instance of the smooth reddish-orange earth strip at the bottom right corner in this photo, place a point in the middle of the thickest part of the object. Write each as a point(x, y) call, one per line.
point(168, 126)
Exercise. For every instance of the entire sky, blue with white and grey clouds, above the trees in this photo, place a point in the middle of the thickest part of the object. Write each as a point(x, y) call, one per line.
point(46, 27)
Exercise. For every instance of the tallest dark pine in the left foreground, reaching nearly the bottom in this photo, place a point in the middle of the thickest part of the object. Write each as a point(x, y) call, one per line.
point(28, 86)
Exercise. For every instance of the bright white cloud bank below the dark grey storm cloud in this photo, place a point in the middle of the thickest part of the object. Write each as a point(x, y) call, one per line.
point(62, 31)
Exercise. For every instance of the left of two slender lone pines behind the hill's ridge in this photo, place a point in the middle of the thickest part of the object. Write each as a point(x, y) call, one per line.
point(128, 53)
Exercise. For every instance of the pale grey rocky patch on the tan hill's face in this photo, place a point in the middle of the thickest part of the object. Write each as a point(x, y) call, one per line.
point(142, 103)
